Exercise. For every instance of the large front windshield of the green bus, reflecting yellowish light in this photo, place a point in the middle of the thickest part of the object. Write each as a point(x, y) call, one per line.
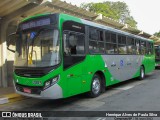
point(37, 48)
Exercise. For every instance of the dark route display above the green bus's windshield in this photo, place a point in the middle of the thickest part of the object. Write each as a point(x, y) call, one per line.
point(35, 23)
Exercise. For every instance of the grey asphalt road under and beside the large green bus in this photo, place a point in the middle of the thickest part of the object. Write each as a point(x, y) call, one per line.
point(132, 95)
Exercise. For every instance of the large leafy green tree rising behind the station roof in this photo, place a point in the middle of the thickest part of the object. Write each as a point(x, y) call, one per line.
point(115, 10)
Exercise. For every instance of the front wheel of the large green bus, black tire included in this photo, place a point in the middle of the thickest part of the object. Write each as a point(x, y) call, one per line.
point(95, 86)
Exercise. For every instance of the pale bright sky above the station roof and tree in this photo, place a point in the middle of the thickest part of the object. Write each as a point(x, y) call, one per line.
point(145, 12)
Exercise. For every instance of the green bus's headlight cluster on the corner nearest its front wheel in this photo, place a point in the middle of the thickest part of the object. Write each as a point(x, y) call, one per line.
point(51, 82)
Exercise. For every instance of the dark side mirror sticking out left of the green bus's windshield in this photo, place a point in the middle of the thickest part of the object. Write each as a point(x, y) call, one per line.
point(11, 41)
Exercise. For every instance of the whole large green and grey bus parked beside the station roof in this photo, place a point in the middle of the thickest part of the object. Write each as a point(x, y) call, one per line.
point(59, 55)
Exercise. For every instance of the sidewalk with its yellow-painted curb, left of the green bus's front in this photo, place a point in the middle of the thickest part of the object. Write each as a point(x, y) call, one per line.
point(8, 94)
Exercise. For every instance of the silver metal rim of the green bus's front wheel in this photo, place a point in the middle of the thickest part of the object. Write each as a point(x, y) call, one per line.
point(96, 86)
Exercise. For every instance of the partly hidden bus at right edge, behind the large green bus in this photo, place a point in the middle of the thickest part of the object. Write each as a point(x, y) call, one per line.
point(157, 56)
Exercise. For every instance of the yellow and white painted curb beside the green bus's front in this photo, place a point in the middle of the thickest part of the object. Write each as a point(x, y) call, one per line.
point(4, 99)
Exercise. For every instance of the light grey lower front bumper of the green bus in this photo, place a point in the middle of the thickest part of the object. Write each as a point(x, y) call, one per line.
point(53, 92)
